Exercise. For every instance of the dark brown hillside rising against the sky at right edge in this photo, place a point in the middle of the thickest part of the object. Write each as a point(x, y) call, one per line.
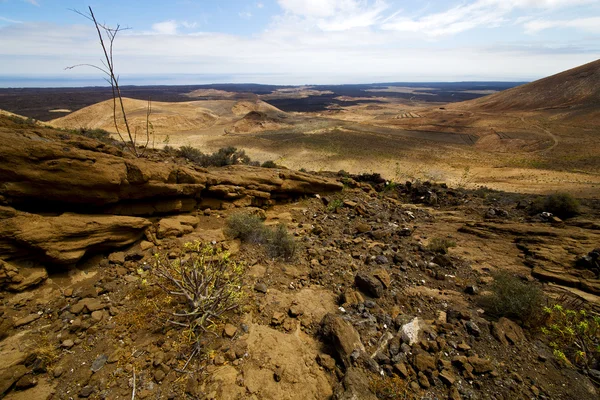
point(575, 89)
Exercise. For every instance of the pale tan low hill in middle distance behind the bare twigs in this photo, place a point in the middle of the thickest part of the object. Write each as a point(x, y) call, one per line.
point(171, 117)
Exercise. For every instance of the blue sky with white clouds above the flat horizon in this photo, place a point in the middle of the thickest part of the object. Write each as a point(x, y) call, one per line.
point(297, 41)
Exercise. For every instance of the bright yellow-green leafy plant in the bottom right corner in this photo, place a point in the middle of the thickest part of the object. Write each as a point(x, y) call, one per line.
point(574, 335)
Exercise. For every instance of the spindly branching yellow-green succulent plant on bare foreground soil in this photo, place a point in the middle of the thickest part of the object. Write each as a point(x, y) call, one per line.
point(205, 279)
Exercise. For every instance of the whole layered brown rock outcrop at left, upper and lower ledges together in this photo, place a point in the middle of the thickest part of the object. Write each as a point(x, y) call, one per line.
point(63, 195)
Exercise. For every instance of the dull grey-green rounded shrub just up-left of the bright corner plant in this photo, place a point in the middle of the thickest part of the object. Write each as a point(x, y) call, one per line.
point(513, 298)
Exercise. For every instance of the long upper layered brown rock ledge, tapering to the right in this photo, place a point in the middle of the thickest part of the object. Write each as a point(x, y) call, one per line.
point(48, 170)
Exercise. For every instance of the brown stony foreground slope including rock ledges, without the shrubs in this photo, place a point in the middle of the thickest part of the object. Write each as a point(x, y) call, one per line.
point(365, 308)
